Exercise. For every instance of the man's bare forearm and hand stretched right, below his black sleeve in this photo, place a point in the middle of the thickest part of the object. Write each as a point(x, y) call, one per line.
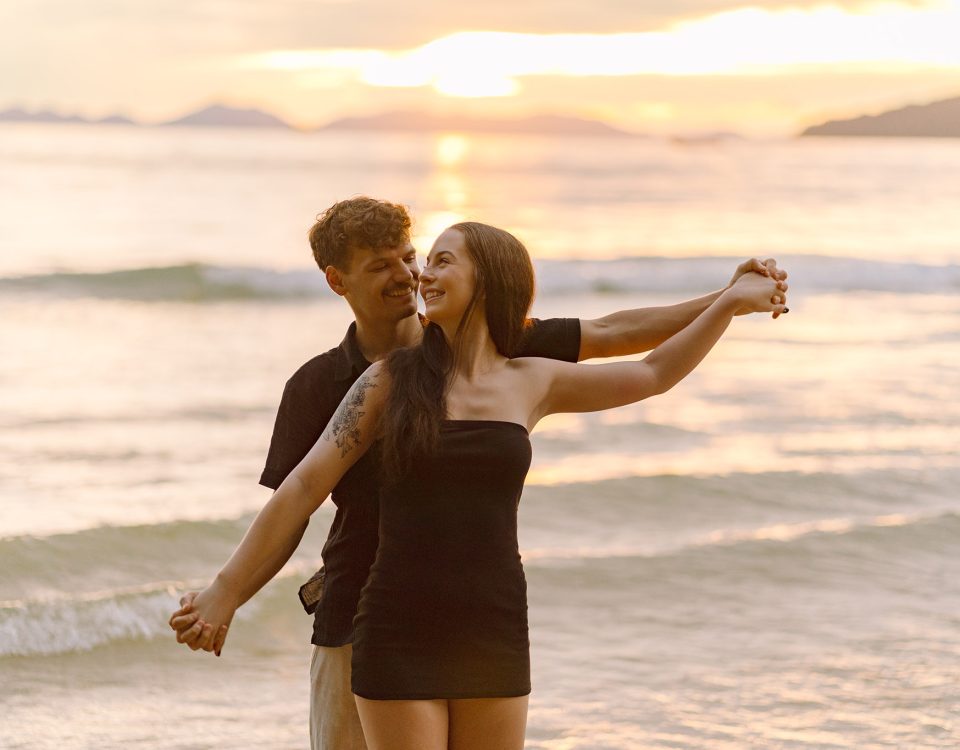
point(645, 328)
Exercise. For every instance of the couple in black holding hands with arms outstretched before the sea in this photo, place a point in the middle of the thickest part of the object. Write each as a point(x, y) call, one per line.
point(425, 453)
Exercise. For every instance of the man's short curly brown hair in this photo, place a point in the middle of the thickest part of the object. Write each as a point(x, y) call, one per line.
point(355, 223)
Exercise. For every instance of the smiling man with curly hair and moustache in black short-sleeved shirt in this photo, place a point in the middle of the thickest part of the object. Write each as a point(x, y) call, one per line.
point(363, 247)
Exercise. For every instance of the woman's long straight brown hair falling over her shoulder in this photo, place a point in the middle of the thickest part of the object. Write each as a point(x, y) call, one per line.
point(417, 404)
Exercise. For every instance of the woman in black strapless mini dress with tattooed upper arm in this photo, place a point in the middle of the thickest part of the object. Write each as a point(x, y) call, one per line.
point(441, 654)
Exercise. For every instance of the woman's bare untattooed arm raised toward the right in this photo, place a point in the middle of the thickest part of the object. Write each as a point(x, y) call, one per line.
point(576, 388)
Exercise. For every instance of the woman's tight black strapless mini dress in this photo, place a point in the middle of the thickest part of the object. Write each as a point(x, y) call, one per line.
point(444, 611)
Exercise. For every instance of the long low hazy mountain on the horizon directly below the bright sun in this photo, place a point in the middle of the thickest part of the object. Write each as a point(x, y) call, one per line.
point(424, 123)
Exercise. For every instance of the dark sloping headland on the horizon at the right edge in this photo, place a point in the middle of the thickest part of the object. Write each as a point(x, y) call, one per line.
point(936, 120)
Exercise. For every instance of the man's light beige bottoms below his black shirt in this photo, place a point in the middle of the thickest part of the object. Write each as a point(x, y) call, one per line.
point(334, 722)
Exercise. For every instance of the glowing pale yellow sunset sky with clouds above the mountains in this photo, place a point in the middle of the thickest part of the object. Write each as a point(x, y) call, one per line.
point(680, 66)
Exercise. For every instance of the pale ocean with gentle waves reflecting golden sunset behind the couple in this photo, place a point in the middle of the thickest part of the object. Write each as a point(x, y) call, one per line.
point(764, 557)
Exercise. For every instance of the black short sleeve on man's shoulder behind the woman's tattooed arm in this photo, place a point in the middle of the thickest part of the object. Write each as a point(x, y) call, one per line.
point(301, 417)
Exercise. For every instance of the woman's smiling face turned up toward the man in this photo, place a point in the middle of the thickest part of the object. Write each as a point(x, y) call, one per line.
point(448, 279)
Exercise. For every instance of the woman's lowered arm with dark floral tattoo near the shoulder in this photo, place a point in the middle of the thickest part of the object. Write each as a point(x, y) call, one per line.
point(274, 533)
